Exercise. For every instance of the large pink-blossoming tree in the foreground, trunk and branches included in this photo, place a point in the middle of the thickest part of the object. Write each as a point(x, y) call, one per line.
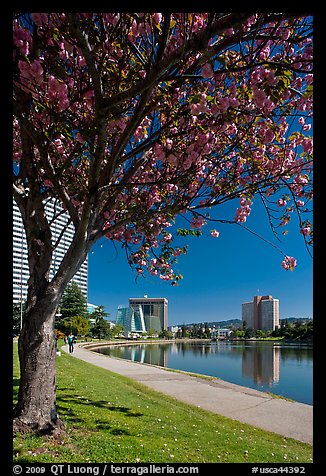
point(130, 119)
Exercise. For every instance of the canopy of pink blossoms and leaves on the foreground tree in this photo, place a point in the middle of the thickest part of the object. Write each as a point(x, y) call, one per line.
point(199, 142)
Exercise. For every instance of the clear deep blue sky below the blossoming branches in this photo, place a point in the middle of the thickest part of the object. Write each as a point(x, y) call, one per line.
point(219, 273)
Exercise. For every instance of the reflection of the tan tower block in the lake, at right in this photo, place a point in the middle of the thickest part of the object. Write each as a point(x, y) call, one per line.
point(261, 365)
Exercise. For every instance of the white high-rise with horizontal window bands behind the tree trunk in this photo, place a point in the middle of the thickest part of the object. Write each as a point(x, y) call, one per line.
point(20, 262)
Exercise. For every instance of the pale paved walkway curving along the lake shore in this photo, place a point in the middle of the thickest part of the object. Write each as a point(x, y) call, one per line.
point(290, 419)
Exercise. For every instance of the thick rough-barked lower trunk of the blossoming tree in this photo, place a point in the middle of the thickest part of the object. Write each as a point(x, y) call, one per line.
point(36, 407)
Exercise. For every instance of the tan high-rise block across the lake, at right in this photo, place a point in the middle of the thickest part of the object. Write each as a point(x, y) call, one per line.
point(262, 313)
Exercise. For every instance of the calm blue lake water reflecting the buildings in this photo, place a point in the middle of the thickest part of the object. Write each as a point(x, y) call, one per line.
point(282, 369)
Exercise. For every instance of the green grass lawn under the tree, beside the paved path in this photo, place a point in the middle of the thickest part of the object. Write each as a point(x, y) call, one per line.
point(110, 418)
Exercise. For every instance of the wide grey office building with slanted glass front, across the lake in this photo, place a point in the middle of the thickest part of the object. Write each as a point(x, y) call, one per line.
point(144, 314)
